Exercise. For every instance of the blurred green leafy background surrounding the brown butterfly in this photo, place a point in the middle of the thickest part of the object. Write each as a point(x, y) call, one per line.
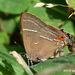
point(11, 38)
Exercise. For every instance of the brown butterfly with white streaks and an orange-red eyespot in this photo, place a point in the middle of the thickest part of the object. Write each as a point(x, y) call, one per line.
point(40, 40)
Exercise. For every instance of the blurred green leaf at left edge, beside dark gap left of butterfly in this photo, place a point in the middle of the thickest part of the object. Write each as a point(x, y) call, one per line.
point(8, 25)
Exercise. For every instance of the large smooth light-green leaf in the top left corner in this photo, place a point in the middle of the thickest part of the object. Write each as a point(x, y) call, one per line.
point(14, 6)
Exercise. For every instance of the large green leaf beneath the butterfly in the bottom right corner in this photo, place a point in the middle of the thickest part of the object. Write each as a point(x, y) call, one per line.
point(59, 66)
